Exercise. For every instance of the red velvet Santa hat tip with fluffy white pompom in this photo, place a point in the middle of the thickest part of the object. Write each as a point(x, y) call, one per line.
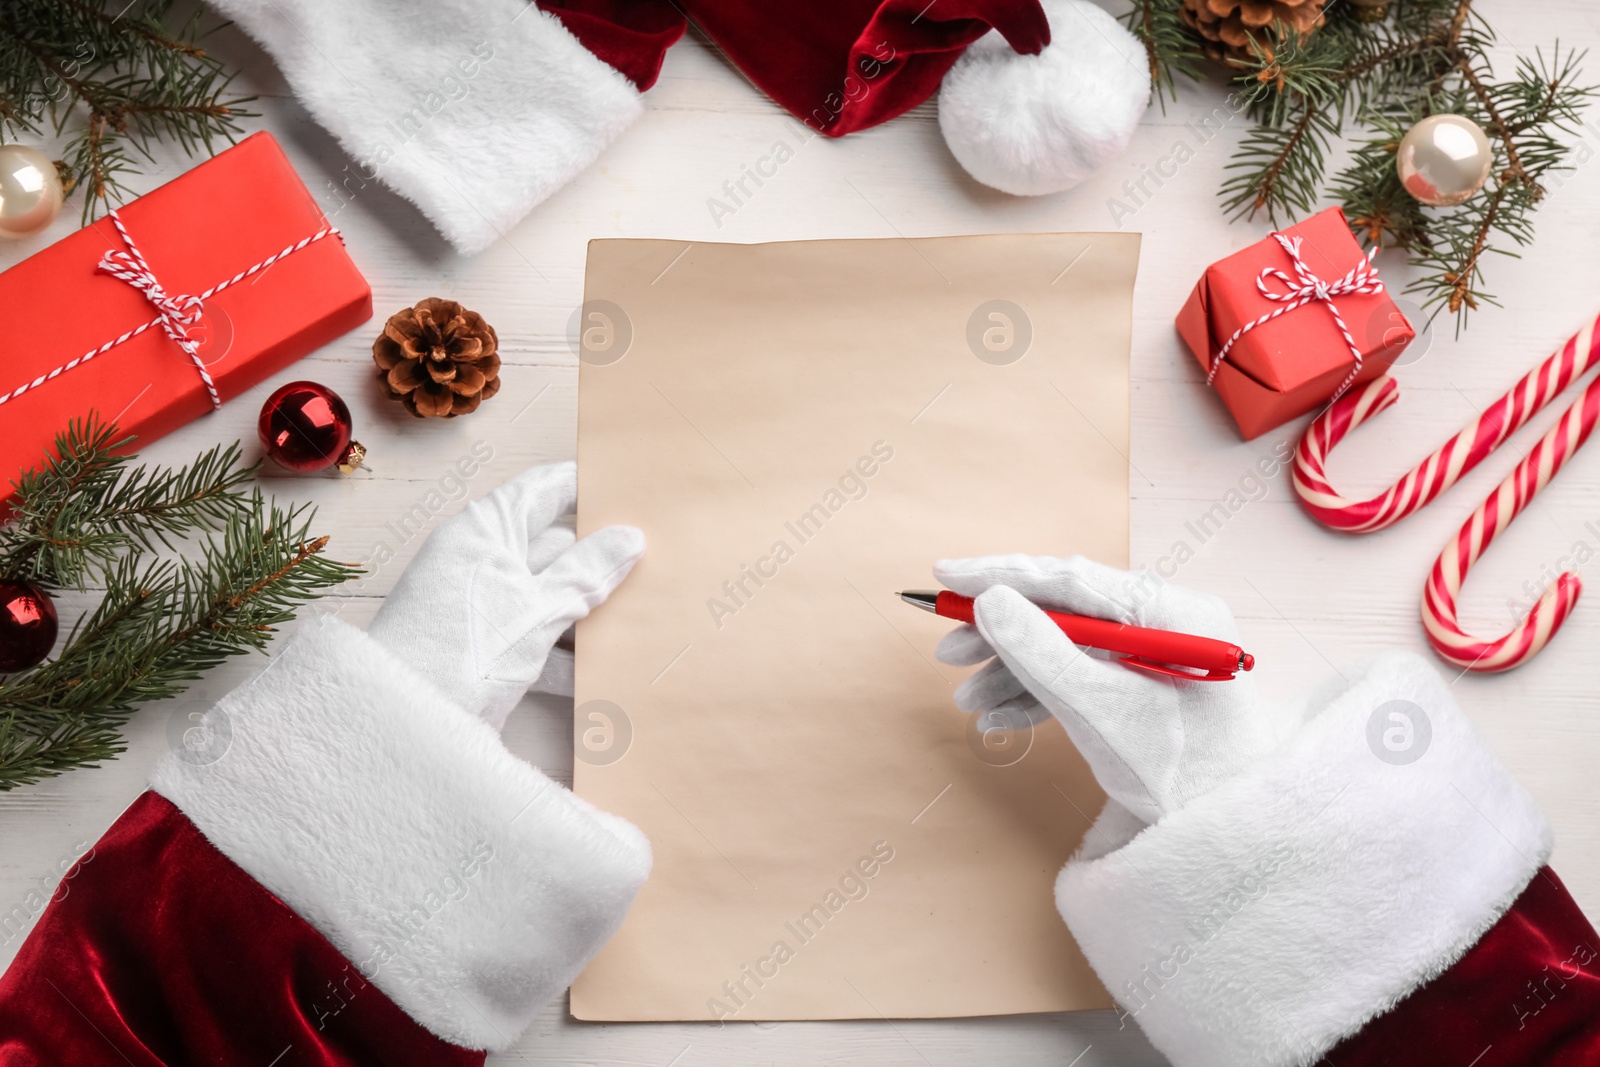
point(1034, 95)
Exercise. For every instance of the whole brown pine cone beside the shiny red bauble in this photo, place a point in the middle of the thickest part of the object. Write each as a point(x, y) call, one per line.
point(438, 359)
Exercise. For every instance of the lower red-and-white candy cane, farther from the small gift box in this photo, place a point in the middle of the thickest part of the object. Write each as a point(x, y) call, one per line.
point(1494, 516)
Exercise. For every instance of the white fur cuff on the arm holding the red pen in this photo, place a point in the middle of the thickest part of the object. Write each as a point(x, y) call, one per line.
point(1281, 913)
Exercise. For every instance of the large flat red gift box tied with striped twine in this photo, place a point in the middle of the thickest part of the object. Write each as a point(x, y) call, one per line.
point(89, 295)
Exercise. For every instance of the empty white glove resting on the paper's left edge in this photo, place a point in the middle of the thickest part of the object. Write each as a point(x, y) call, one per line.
point(482, 605)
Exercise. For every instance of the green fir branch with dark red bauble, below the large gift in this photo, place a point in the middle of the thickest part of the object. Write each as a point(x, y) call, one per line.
point(161, 623)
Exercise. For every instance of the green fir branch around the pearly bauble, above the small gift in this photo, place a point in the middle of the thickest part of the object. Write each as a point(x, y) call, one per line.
point(1372, 84)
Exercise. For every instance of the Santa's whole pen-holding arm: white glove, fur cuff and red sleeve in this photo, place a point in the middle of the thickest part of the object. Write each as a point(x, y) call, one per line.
point(1350, 877)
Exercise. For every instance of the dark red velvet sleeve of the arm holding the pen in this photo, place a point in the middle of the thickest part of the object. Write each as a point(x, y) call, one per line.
point(1527, 993)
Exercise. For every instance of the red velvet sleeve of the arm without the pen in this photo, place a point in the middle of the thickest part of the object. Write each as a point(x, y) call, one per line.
point(158, 951)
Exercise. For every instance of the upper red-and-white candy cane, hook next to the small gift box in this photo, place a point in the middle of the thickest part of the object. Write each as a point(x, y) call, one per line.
point(1441, 471)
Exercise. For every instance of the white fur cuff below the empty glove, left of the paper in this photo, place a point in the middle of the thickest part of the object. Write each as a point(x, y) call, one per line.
point(455, 877)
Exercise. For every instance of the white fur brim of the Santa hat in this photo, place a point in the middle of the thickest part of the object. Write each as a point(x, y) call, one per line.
point(473, 110)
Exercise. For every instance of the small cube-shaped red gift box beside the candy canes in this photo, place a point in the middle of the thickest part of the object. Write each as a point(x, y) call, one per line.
point(1266, 322)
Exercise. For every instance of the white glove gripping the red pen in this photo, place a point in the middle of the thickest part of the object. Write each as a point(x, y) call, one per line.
point(1153, 741)
